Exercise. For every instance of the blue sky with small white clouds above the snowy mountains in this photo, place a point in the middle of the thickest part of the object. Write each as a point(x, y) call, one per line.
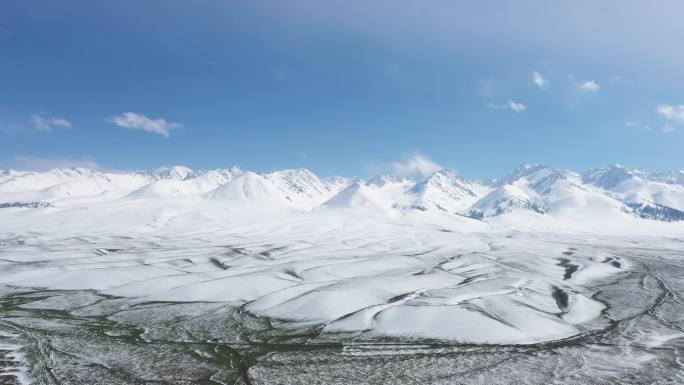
point(341, 87)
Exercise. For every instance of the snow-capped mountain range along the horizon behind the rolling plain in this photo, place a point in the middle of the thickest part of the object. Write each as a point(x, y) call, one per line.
point(532, 188)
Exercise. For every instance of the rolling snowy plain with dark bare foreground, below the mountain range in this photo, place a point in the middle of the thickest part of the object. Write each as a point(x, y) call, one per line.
point(195, 291)
